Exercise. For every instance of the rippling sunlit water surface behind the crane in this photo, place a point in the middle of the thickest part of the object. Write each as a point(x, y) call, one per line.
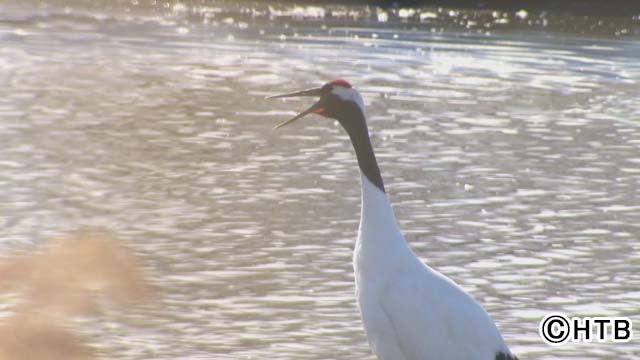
point(512, 159)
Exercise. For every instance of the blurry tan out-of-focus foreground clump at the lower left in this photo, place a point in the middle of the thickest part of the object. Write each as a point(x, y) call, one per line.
point(66, 278)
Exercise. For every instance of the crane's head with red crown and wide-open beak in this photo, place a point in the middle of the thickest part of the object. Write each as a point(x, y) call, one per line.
point(338, 100)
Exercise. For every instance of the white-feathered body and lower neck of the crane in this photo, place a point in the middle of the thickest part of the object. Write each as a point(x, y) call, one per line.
point(410, 311)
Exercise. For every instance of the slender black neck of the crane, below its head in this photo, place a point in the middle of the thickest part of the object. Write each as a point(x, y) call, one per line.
point(356, 126)
